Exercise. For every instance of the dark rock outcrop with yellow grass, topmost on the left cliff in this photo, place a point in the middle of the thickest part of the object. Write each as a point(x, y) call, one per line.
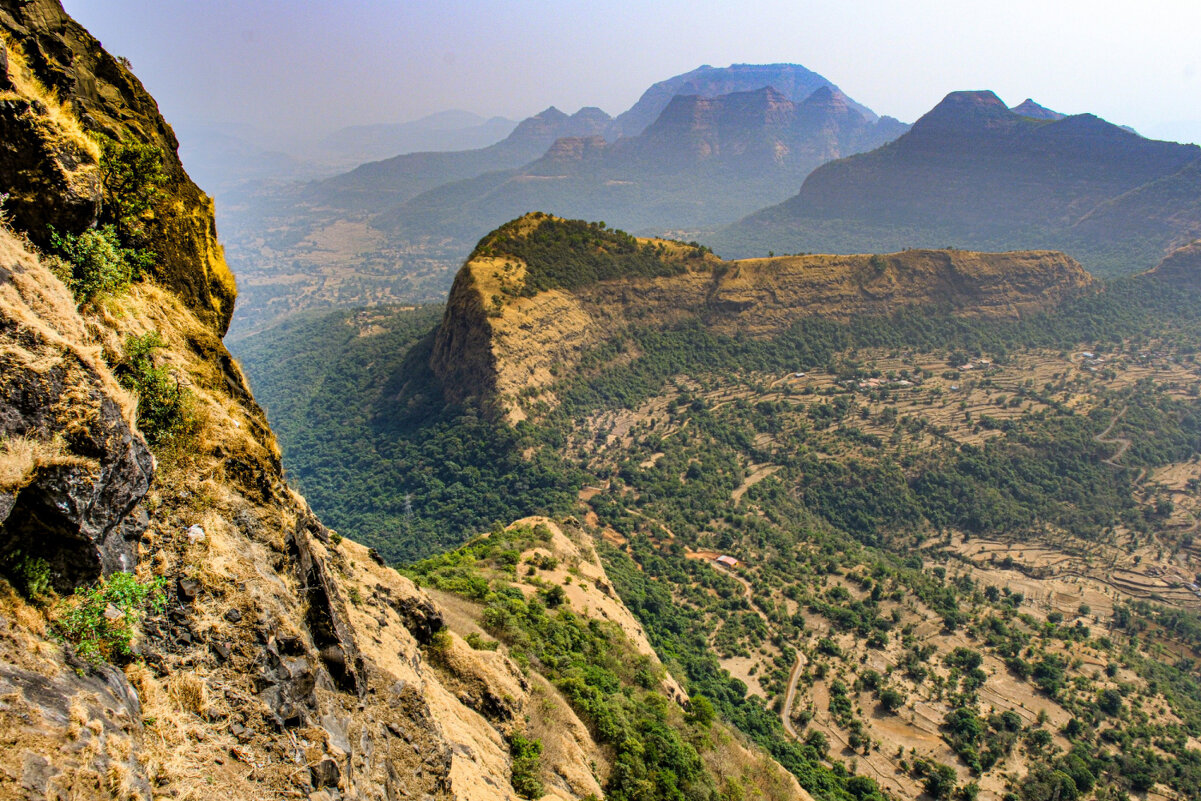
point(65, 83)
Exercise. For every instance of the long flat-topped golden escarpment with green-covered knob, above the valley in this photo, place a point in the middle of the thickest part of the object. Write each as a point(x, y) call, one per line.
point(541, 292)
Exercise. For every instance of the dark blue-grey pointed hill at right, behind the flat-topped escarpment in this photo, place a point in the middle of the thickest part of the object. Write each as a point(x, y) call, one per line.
point(973, 174)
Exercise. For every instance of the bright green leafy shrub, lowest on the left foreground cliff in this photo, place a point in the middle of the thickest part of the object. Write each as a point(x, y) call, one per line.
point(100, 620)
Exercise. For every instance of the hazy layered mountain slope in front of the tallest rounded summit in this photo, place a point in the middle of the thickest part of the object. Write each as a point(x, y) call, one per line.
point(703, 163)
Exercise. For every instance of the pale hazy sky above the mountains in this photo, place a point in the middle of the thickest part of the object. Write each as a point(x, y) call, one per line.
point(309, 67)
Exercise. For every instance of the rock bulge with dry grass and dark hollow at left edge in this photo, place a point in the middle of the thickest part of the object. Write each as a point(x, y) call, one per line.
point(77, 468)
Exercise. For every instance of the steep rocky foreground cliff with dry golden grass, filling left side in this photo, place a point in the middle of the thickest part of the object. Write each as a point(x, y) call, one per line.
point(268, 657)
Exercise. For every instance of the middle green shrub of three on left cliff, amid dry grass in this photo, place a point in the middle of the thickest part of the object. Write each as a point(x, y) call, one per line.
point(166, 410)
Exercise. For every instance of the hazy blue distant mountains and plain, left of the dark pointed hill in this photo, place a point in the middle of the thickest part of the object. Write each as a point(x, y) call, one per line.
point(685, 160)
